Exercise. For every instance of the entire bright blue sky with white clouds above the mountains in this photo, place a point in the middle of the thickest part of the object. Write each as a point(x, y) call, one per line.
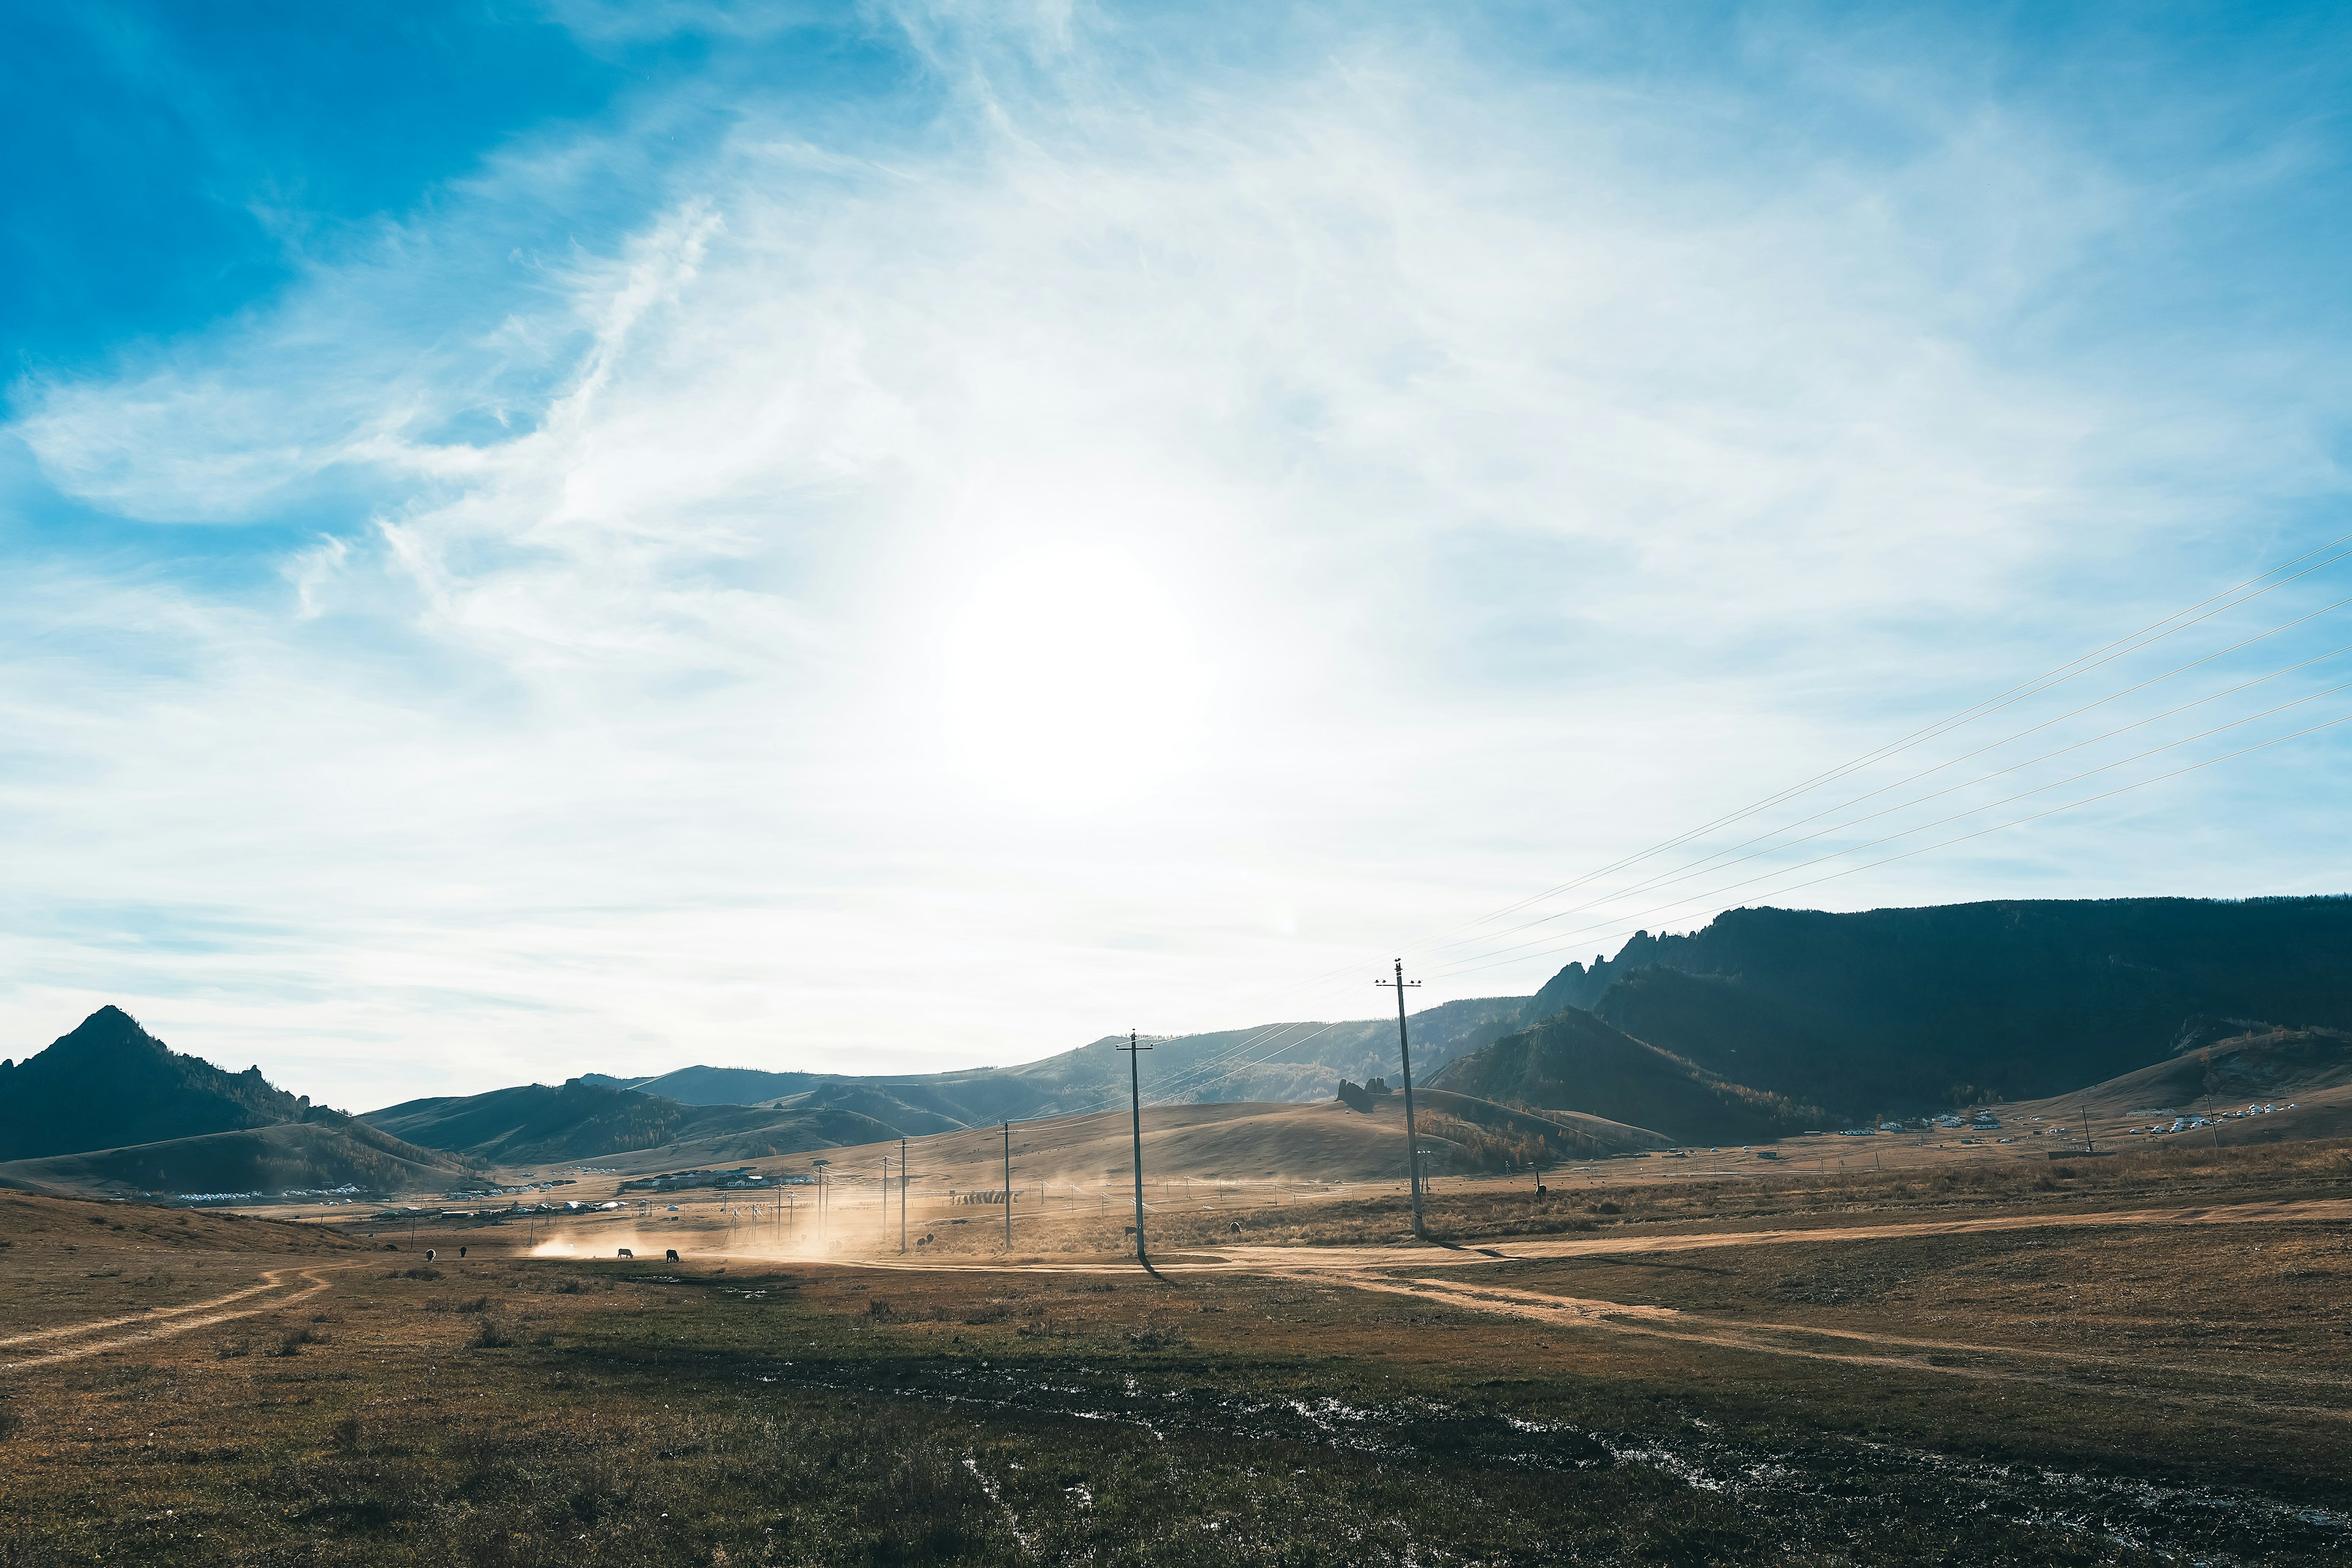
point(893, 537)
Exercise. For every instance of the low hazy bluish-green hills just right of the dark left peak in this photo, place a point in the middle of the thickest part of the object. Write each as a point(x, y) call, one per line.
point(577, 1120)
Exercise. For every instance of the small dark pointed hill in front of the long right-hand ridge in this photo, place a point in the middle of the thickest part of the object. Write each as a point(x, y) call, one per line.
point(1577, 1064)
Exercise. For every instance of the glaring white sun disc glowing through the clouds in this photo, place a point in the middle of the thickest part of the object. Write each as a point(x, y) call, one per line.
point(1071, 681)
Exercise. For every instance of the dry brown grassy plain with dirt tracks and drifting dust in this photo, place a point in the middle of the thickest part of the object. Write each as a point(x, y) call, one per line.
point(2120, 1362)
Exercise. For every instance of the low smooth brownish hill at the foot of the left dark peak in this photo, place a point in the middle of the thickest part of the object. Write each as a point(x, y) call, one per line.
point(319, 1155)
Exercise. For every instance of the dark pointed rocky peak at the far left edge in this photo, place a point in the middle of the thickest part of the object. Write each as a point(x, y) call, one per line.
point(109, 1085)
